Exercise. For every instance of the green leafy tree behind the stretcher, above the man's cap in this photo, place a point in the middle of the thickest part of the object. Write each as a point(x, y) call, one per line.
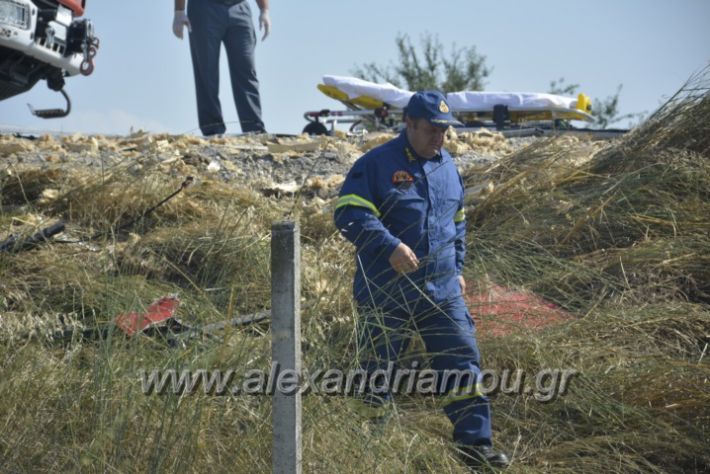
point(462, 69)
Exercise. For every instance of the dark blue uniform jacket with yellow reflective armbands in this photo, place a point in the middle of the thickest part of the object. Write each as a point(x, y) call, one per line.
point(390, 196)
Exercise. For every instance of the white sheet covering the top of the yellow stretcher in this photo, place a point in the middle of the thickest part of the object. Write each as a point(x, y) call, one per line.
point(466, 101)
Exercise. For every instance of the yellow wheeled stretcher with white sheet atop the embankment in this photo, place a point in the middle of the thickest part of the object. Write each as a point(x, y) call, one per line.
point(372, 106)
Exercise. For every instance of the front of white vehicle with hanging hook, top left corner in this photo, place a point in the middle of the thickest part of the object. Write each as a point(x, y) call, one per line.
point(44, 39)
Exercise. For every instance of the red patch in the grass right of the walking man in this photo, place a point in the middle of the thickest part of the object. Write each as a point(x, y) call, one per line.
point(499, 311)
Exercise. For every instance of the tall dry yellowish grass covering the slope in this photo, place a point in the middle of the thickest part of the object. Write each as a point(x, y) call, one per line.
point(617, 234)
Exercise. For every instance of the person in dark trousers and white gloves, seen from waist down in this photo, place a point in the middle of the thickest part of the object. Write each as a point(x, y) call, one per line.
point(211, 23)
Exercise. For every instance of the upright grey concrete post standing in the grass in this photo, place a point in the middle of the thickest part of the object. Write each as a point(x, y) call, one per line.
point(286, 345)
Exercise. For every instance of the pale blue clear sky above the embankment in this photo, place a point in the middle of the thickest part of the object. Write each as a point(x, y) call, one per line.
point(143, 77)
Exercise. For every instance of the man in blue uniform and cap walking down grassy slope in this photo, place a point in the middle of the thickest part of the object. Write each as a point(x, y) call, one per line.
point(402, 206)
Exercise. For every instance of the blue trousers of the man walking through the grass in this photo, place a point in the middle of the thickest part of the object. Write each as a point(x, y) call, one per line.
point(449, 336)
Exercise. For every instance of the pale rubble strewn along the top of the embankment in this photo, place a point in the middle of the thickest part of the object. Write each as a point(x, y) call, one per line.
point(272, 165)
